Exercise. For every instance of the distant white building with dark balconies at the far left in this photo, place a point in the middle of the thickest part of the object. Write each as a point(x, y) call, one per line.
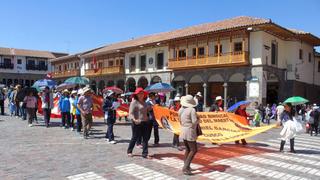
point(20, 66)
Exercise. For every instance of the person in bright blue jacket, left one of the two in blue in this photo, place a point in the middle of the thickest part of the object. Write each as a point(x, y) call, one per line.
point(64, 105)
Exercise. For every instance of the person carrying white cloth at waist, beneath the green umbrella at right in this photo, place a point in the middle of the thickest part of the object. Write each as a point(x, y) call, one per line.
point(289, 130)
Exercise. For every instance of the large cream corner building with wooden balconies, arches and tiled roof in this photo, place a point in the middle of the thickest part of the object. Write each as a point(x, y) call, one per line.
point(238, 58)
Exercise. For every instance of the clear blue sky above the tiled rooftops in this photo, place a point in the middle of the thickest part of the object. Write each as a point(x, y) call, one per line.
point(77, 25)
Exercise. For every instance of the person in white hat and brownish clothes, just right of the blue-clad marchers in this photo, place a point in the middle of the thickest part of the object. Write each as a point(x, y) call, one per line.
point(85, 105)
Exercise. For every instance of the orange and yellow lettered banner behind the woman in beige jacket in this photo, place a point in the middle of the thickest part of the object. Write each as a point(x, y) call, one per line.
point(218, 127)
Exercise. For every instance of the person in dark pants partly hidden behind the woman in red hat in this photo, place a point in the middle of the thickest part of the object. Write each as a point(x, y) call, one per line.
point(152, 120)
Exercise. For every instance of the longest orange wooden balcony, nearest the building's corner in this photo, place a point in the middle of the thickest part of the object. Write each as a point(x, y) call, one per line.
point(226, 59)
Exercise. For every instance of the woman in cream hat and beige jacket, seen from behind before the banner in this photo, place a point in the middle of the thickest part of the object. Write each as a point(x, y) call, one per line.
point(189, 122)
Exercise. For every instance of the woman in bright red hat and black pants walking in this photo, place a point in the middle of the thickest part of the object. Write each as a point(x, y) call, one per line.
point(138, 113)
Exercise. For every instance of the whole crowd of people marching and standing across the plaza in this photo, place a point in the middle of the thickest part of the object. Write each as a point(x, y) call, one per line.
point(76, 108)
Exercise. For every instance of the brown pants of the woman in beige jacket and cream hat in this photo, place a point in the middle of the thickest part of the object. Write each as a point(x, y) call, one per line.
point(191, 150)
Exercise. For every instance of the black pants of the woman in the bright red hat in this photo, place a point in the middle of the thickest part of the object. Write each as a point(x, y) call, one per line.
point(140, 130)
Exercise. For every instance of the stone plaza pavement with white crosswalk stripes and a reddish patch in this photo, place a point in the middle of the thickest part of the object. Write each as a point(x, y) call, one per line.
point(56, 153)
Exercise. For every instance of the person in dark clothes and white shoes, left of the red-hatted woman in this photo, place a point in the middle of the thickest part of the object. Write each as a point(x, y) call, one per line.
point(110, 113)
